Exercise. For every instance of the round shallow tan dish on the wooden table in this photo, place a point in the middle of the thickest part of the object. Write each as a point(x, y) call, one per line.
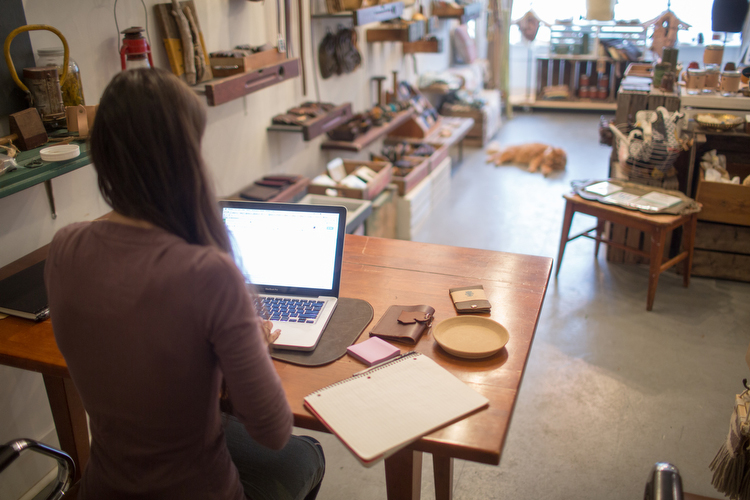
point(471, 337)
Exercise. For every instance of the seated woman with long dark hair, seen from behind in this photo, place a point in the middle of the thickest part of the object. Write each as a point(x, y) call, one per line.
point(152, 315)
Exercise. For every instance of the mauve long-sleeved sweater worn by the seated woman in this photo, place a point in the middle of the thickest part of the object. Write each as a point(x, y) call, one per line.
point(148, 324)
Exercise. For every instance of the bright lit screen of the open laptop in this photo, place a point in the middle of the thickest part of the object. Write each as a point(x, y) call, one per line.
point(287, 248)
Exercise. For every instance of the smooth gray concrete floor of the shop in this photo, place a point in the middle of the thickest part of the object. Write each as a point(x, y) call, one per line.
point(609, 388)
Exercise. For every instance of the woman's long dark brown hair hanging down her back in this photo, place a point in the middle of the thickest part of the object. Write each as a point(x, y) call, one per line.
point(146, 149)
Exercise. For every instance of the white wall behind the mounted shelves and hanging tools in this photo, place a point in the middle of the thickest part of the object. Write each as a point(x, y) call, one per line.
point(237, 147)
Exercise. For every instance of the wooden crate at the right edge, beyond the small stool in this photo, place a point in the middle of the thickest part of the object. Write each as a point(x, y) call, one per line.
point(727, 203)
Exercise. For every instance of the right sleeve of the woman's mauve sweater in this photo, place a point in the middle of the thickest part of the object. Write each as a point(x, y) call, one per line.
point(236, 335)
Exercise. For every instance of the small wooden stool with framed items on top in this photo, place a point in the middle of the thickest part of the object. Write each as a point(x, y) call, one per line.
point(655, 225)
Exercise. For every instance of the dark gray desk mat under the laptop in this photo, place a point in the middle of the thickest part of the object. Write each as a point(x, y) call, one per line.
point(349, 320)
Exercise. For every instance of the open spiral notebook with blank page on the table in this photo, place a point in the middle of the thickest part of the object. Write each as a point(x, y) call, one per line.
point(380, 411)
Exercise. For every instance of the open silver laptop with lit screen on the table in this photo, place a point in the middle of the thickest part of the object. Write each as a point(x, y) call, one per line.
point(291, 254)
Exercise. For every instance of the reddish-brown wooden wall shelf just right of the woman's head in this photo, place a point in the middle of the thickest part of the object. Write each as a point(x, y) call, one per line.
point(232, 87)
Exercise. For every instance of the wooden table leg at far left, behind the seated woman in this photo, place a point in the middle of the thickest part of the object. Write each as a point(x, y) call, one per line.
point(70, 420)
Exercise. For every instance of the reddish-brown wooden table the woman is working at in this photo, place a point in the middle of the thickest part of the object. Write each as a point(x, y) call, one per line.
point(383, 272)
